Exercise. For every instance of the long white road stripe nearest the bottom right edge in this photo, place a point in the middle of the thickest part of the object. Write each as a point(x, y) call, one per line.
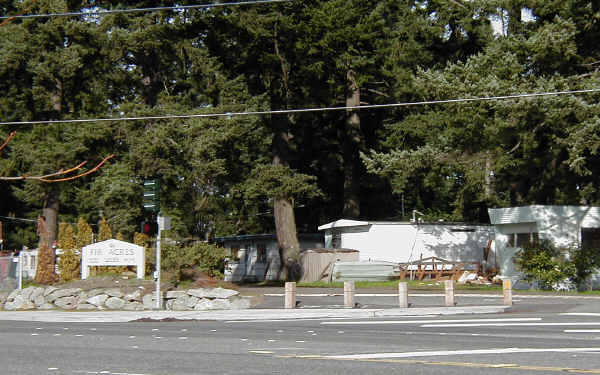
point(462, 352)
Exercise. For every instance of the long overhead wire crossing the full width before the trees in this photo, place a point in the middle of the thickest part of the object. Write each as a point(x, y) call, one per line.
point(302, 110)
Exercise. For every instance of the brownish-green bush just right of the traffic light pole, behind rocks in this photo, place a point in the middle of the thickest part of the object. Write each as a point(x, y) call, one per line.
point(204, 257)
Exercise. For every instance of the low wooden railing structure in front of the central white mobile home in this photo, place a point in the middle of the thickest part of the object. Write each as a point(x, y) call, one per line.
point(436, 268)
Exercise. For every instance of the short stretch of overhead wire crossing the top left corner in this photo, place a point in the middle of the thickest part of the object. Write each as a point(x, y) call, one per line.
point(139, 10)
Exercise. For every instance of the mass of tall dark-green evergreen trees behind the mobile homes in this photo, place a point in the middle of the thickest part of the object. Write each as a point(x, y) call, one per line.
point(291, 172)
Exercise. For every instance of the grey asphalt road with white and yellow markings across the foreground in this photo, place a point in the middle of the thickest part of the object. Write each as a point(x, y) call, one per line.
point(565, 339)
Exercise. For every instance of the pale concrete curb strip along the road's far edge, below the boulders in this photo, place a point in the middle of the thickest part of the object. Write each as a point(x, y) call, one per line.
point(238, 315)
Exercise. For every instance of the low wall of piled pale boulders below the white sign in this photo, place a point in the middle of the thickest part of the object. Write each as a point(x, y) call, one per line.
point(115, 299)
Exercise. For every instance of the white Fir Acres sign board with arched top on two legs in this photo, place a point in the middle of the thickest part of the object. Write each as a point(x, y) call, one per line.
point(112, 253)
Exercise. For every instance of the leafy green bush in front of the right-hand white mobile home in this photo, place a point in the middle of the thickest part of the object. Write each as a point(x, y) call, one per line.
point(543, 263)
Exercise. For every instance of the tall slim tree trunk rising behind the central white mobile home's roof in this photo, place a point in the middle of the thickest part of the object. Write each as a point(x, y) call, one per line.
point(351, 147)
